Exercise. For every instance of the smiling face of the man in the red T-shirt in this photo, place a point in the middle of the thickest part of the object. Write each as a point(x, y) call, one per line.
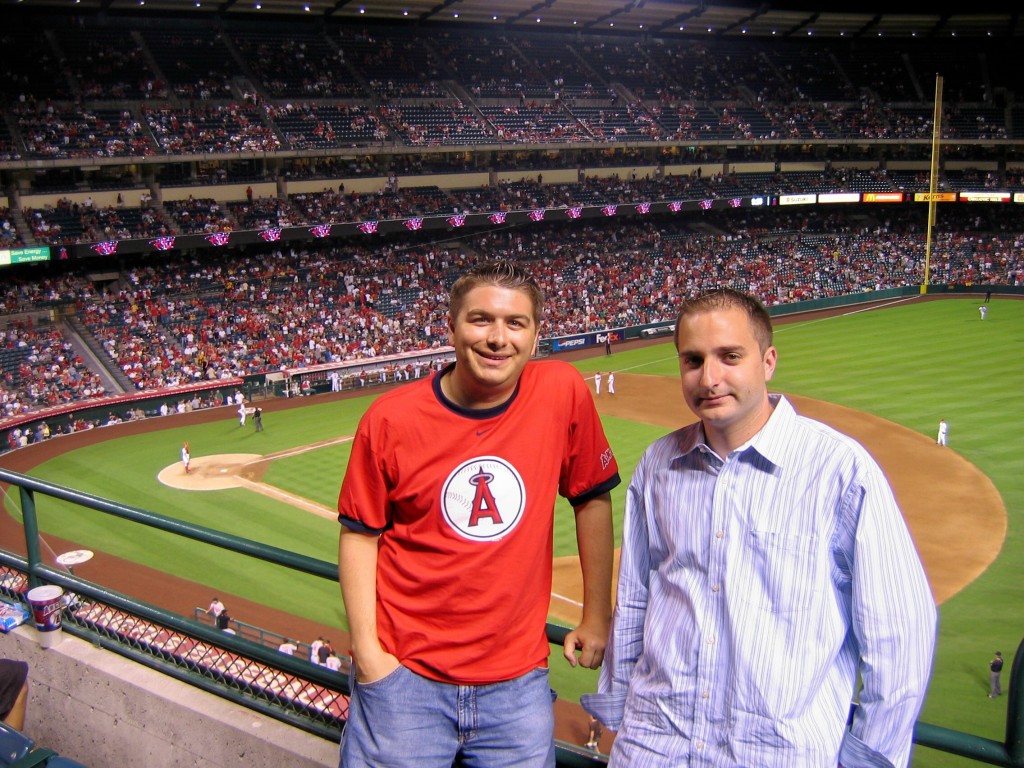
point(494, 332)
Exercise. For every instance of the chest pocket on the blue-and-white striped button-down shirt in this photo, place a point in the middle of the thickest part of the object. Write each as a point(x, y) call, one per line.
point(778, 572)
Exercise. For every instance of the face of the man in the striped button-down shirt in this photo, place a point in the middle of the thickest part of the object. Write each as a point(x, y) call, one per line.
point(726, 373)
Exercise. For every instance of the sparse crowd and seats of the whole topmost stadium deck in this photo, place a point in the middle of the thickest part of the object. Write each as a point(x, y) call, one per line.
point(363, 90)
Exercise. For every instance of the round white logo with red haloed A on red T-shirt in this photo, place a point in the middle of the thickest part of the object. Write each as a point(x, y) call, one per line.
point(484, 499)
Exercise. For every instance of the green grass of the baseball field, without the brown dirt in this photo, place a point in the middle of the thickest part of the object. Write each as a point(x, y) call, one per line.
point(912, 363)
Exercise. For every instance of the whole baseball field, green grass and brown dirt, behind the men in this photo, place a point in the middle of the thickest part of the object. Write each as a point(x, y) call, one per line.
point(885, 375)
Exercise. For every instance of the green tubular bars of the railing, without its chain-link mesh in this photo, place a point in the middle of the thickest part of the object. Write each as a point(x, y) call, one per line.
point(1010, 753)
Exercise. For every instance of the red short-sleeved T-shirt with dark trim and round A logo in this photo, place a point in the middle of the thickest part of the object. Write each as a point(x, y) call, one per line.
point(464, 501)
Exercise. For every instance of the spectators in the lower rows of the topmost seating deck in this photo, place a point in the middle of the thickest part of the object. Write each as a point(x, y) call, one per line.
point(73, 132)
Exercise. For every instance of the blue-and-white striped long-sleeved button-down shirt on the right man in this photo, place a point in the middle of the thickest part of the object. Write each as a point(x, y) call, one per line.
point(752, 592)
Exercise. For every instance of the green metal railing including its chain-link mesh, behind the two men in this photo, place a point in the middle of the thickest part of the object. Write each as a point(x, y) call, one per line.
point(289, 689)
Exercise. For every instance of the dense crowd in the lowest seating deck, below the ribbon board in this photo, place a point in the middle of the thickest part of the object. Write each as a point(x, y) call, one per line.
point(207, 318)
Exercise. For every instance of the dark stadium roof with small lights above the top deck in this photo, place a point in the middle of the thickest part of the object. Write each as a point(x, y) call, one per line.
point(657, 18)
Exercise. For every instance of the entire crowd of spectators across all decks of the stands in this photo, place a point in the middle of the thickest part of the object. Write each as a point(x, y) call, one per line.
point(203, 318)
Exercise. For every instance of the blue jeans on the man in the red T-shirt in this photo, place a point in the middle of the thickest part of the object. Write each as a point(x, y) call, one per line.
point(408, 720)
